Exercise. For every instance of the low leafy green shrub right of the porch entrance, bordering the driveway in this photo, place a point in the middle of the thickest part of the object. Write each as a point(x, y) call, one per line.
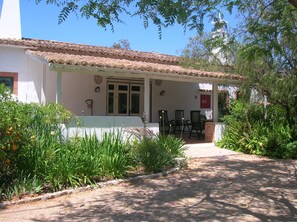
point(247, 130)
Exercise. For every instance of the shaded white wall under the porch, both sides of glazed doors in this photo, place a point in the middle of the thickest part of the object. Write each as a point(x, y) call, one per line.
point(76, 88)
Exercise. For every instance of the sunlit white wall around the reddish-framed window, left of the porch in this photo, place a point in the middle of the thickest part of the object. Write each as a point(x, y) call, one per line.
point(14, 59)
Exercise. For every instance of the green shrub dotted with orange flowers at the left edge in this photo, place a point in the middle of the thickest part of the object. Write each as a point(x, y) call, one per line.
point(14, 137)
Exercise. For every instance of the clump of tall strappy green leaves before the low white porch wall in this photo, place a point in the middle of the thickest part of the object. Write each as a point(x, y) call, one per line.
point(81, 161)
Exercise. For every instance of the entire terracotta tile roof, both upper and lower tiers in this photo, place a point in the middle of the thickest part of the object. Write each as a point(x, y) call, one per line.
point(97, 56)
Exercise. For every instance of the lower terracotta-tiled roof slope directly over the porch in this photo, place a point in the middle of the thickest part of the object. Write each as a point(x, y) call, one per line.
point(103, 63)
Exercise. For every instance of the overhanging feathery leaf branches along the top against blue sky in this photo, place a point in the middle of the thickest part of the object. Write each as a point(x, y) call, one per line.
point(163, 13)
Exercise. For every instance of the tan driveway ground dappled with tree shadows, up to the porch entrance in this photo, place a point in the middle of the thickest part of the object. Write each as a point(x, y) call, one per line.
point(215, 188)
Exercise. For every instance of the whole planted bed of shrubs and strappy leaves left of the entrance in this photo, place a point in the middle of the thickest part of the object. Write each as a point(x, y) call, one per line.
point(36, 157)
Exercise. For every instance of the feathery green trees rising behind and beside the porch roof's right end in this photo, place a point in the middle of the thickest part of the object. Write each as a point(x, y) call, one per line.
point(265, 51)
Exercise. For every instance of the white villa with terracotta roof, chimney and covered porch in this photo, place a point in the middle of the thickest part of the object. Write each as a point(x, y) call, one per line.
point(113, 86)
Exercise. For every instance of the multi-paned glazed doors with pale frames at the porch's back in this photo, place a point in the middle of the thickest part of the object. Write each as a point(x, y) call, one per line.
point(124, 99)
